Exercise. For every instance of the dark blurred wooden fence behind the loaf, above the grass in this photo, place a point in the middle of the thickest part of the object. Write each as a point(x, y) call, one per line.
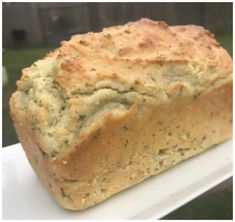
point(49, 23)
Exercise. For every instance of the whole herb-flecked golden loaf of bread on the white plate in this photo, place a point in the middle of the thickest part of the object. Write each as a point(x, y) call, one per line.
point(107, 110)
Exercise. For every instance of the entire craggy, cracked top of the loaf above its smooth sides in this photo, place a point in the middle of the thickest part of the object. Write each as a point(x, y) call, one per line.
point(73, 89)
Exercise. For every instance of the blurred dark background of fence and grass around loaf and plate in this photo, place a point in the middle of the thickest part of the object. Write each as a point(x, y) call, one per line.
point(30, 30)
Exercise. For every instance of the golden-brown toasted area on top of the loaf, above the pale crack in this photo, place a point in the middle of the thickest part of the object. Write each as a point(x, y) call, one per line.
point(136, 53)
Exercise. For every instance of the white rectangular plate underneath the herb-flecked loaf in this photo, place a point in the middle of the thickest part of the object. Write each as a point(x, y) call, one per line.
point(25, 198)
